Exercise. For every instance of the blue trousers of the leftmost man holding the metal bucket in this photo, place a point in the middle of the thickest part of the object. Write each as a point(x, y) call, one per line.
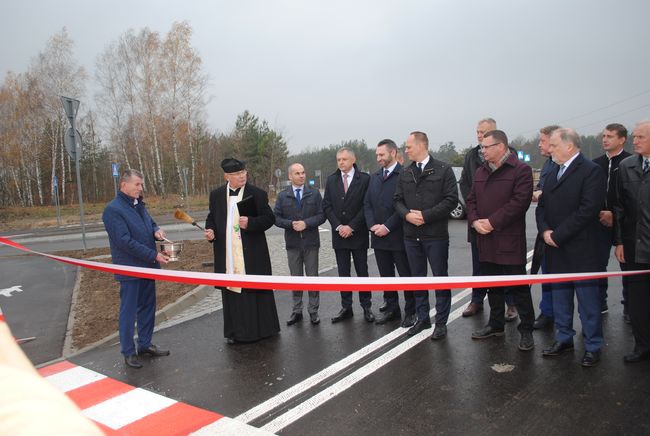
point(137, 303)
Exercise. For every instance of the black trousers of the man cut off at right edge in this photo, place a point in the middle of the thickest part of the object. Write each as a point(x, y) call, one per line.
point(638, 305)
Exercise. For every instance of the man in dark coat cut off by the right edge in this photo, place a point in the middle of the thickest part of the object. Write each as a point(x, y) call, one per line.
point(632, 237)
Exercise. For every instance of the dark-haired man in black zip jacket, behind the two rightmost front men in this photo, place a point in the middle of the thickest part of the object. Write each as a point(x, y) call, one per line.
point(614, 137)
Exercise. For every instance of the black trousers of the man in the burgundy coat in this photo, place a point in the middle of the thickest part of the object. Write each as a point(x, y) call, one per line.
point(496, 297)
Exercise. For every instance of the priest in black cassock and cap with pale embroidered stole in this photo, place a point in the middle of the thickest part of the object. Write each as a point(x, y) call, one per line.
point(239, 216)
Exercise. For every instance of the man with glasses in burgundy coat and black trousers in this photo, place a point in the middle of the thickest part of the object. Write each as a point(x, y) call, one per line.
point(496, 209)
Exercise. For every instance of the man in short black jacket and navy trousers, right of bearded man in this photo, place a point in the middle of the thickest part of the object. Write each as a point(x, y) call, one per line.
point(426, 193)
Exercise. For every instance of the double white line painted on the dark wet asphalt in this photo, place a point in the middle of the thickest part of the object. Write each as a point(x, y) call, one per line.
point(322, 375)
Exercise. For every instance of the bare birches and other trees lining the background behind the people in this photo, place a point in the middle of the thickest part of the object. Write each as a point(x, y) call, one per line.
point(148, 112)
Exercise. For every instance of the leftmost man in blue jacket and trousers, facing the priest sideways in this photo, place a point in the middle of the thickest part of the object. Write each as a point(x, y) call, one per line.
point(132, 234)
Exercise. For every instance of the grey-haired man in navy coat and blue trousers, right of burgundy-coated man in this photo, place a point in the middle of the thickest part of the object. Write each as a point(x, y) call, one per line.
point(568, 220)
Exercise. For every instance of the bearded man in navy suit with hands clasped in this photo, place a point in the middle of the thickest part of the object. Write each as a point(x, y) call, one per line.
point(386, 234)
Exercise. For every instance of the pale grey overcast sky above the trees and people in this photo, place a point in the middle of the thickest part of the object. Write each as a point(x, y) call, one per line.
point(322, 72)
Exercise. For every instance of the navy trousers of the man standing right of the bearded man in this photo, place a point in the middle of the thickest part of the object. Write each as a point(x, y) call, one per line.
point(436, 252)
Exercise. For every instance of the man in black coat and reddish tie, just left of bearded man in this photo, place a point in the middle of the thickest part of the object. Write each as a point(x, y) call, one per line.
point(343, 206)
